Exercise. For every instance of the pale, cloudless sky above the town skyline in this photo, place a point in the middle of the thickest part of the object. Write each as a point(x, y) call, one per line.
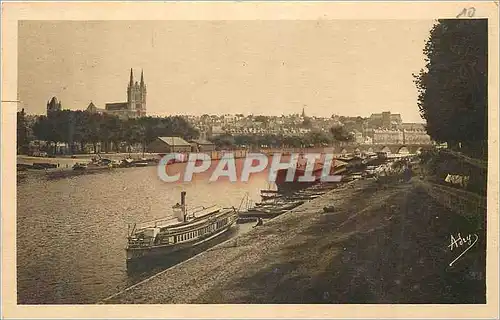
point(340, 67)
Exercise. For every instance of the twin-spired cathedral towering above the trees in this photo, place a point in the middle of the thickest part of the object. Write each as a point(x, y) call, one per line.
point(135, 106)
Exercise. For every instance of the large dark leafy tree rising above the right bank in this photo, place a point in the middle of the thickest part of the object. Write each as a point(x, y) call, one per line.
point(453, 86)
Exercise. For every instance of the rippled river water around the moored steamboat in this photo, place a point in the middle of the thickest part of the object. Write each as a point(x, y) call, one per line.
point(71, 233)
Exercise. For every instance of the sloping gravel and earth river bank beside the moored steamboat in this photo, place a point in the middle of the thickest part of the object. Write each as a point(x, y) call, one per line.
point(381, 245)
